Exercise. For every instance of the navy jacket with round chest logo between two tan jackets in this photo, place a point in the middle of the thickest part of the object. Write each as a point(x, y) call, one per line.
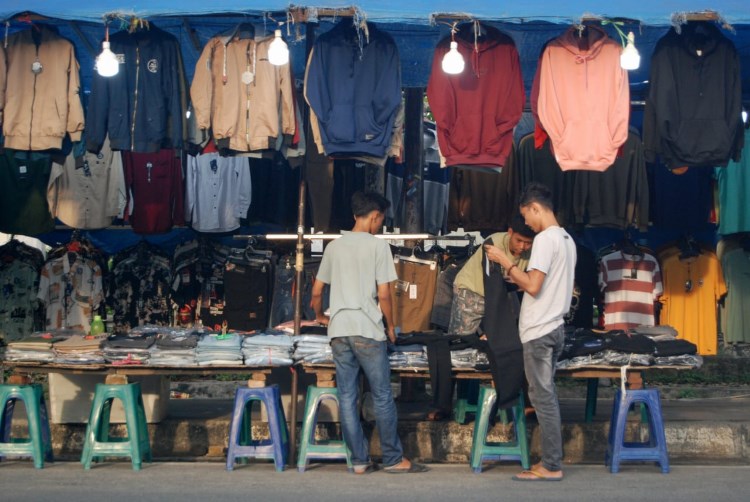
point(142, 108)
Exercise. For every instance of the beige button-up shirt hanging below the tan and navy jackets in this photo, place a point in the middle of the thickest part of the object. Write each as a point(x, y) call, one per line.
point(87, 192)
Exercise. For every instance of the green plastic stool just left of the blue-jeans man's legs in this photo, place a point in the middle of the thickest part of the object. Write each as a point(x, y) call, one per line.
point(332, 449)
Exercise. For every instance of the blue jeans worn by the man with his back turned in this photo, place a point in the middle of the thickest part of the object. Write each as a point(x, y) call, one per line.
point(350, 353)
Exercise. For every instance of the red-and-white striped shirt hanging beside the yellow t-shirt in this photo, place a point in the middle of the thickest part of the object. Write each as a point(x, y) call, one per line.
point(631, 284)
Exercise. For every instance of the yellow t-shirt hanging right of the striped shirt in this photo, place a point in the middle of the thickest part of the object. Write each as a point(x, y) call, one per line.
point(692, 288)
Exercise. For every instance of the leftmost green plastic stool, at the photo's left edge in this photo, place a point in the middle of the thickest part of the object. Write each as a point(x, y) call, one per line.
point(39, 444)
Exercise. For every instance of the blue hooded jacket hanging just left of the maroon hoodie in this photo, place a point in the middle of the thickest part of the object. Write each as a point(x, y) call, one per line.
point(353, 85)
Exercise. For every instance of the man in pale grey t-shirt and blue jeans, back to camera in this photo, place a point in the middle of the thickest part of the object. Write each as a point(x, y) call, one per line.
point(359, 268)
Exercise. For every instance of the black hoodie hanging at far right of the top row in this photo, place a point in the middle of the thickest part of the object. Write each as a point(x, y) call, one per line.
point(694, 105)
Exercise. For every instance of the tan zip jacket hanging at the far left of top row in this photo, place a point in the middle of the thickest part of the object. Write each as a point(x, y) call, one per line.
point(37, 109)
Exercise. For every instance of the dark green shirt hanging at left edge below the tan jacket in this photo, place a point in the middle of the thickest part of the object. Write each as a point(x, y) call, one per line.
point(23, 201)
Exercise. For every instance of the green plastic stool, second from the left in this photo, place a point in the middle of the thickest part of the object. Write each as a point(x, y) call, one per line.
point(98, 444)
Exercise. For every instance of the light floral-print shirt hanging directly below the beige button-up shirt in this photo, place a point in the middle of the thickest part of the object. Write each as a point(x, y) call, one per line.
point(72, 291)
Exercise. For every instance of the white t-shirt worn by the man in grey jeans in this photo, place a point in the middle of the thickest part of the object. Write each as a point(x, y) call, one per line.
point(554, 254)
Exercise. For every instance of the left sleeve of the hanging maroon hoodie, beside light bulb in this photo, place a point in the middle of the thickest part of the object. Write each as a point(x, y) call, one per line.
point(441, 98)
